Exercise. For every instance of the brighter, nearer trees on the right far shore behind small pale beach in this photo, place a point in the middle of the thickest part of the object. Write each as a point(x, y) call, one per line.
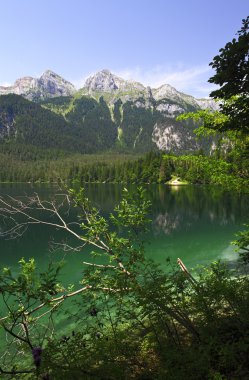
point(161, 168)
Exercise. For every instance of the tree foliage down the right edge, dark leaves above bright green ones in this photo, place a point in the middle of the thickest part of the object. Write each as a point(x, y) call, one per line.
point(232, 75)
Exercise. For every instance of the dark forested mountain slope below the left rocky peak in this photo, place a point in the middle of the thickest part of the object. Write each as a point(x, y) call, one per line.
point(25, 122)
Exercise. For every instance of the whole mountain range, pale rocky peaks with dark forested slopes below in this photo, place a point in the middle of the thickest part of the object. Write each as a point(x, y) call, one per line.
point(107, 113)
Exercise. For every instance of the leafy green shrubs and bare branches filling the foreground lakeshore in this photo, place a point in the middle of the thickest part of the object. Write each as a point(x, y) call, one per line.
point(129, 319)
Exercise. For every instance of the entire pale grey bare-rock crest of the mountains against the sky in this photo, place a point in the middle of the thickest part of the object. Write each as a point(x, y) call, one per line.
point(51, 85)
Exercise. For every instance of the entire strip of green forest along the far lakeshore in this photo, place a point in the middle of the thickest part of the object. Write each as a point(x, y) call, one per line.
point(22, 164)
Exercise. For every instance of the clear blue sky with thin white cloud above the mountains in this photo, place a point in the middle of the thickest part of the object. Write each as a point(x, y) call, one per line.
point(150, 41)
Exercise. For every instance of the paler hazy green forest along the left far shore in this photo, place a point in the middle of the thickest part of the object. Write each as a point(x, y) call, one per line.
point(22, 163)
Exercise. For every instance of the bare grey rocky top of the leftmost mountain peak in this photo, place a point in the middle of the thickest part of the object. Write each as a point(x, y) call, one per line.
point(49, 85)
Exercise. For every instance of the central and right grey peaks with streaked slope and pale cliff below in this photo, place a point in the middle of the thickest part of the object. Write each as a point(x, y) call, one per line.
point(145, 117)
